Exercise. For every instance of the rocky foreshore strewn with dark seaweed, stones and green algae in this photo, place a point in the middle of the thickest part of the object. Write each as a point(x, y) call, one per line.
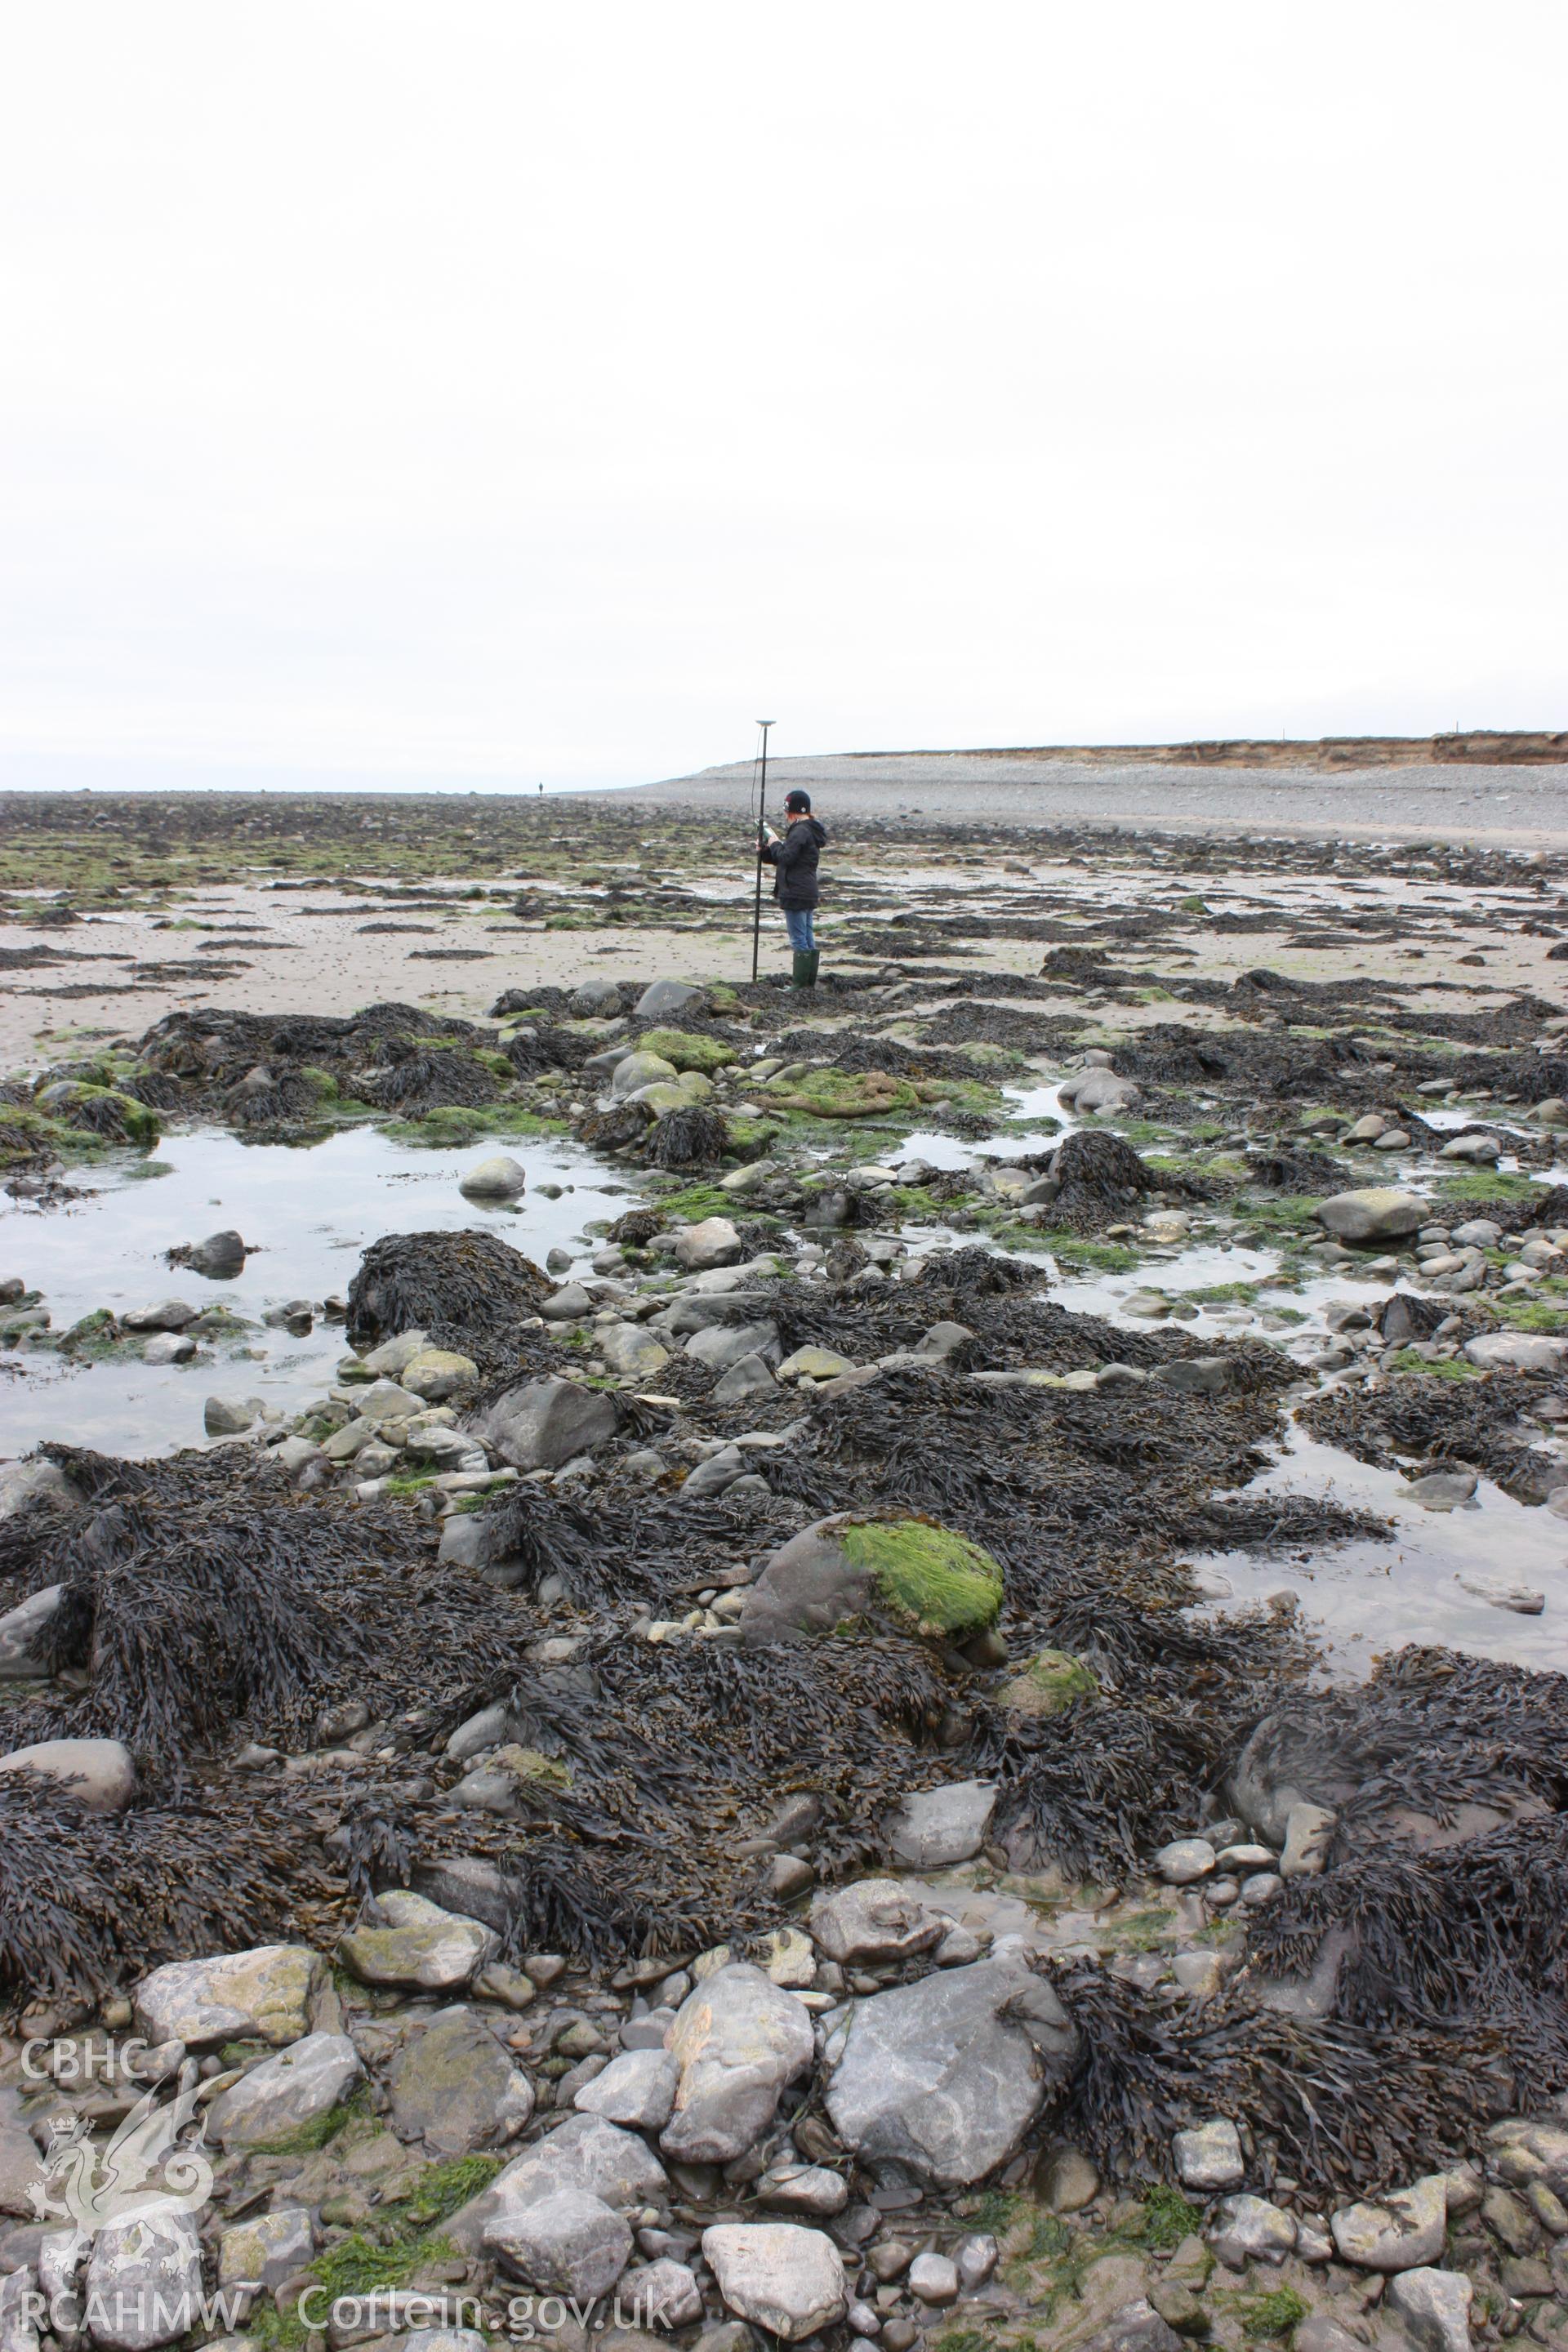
point(702, 1789)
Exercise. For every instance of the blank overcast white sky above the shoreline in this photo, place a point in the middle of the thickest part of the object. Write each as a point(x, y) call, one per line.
point(483, 392)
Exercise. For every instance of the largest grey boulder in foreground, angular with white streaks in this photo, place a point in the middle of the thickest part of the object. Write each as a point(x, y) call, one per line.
point(949, 2076)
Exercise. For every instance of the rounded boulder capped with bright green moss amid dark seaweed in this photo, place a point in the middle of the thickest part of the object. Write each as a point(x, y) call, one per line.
point(904, 1572)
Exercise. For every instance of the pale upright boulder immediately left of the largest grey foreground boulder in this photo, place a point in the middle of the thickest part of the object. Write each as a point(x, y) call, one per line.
point(737, 2040)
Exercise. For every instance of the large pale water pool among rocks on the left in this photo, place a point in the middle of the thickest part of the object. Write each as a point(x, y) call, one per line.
point(309, 1210)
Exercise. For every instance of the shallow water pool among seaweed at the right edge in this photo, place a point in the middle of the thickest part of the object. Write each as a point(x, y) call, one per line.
point(1379, 1596)
